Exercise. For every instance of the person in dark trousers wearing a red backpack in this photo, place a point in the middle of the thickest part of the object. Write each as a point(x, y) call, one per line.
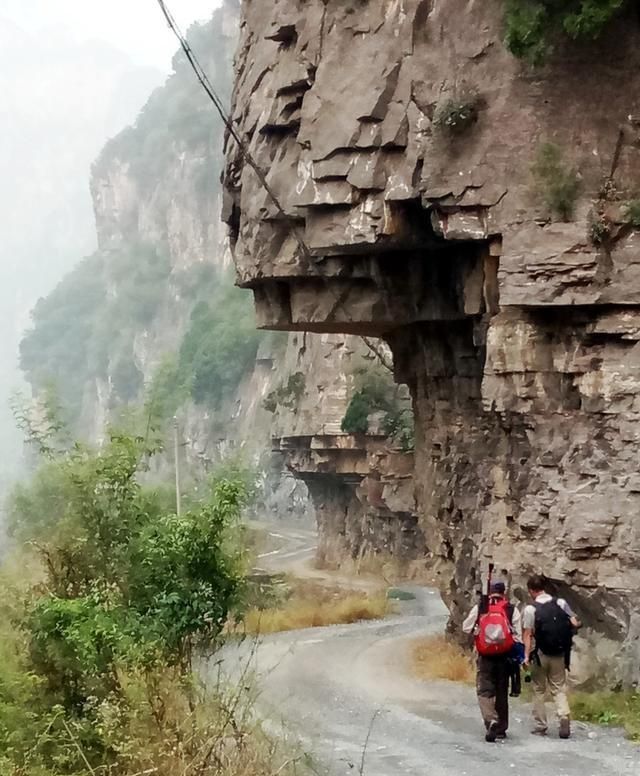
point(496, 625)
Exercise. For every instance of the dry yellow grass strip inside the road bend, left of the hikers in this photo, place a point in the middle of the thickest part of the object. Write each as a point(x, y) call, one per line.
point(313, 605)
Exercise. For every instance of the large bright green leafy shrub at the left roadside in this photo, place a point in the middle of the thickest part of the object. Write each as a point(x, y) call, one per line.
point(126, 582)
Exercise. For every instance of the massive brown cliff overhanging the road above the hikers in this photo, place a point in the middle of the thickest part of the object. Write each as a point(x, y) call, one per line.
point(518, 336)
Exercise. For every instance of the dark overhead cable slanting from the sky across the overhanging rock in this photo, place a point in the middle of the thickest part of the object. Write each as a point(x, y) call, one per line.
point(208, 87)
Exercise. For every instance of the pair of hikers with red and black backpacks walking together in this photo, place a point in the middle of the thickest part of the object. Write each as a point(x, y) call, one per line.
point(541, 639)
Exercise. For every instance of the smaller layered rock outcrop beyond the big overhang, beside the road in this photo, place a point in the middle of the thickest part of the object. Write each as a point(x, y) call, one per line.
point(361, 485)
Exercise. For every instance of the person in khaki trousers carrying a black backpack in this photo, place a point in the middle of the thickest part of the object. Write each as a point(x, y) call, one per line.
point(548, 628)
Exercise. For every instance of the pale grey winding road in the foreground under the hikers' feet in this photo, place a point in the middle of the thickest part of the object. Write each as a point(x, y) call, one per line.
point(336, 688)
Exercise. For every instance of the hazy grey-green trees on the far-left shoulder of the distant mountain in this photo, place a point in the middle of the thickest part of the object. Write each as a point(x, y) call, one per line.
point(85, 328)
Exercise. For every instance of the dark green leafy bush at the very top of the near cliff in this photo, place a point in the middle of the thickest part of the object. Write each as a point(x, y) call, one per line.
point(532, 25)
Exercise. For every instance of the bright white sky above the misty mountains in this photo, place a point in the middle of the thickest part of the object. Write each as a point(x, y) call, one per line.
point(134, 26)
